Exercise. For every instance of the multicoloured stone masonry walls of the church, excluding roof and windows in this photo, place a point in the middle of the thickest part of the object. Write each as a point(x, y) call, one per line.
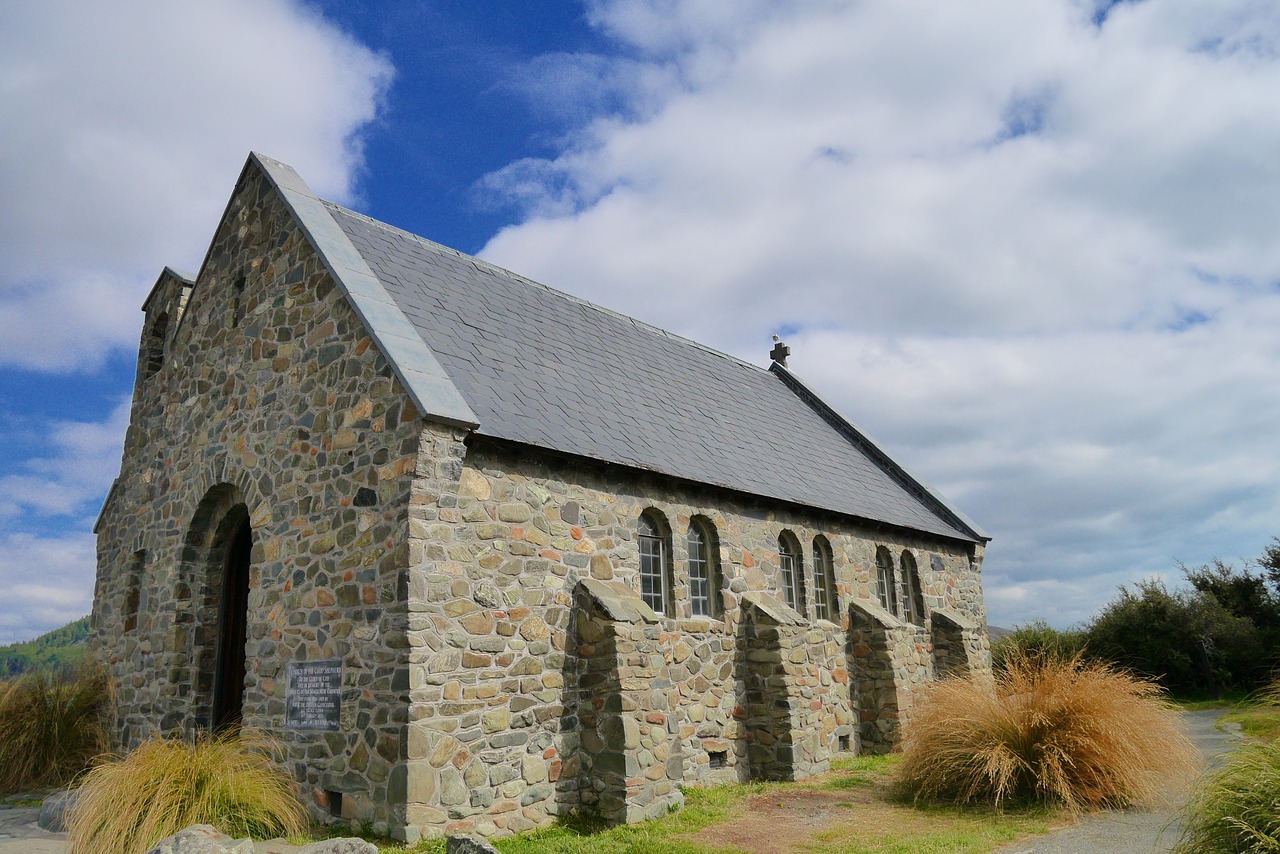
point(499, 664)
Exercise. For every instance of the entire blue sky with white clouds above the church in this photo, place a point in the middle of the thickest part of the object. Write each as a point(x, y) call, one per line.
point(1028, 246)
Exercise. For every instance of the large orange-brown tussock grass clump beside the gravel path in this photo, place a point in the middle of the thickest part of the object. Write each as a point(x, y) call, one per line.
point(1078, 734)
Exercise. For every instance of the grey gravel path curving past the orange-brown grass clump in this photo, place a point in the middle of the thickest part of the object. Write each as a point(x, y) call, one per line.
point(1133, 832)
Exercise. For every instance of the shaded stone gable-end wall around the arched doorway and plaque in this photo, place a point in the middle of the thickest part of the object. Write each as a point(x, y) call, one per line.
point(268, 401)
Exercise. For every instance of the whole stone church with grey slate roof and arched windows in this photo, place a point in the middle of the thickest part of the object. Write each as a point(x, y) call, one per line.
point(481, 554)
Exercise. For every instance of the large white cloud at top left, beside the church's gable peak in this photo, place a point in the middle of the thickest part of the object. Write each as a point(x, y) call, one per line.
point(122, 124)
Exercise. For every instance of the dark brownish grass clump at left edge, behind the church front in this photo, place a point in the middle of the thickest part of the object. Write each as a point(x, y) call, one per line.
point(52, 727)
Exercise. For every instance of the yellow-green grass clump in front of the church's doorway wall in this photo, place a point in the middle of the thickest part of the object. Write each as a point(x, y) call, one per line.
point(228, 782)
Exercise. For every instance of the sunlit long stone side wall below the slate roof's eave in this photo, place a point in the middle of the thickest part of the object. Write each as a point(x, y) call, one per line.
point(500, 711)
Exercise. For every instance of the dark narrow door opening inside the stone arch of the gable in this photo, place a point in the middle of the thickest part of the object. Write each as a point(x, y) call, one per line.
point(232, 629)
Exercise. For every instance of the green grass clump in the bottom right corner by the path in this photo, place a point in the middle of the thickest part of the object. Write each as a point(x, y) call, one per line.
point(1237, 810)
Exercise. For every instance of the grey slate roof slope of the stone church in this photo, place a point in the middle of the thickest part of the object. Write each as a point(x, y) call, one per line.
point(547, 369)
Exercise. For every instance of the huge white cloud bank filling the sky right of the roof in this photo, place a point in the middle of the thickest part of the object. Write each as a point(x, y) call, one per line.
point(1028, 245)
